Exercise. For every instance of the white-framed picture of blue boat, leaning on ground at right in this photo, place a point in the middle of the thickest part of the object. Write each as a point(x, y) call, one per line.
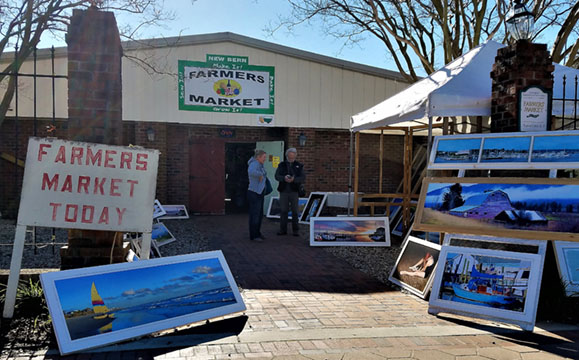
point(489, 284)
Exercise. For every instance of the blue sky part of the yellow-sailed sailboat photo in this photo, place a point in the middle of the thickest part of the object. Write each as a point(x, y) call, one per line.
point(142, 286)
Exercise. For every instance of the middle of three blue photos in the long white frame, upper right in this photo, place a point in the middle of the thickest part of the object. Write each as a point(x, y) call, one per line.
point(506, 149)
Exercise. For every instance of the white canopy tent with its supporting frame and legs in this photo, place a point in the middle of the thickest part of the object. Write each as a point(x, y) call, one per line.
point(461, 88)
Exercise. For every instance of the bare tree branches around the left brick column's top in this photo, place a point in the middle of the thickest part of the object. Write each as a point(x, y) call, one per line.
point(24, 22)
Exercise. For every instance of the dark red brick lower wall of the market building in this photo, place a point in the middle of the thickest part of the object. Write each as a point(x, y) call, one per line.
point(326, 156)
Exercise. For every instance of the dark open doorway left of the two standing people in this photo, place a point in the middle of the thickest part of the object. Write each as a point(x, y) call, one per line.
point(236, 182)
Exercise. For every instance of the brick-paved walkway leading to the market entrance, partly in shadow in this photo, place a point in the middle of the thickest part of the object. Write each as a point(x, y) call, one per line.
point(304, 303)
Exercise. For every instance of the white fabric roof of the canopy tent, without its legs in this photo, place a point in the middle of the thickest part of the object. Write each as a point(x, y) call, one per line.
point(461, 88)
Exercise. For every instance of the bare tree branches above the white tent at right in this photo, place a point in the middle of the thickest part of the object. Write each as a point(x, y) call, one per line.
point(431, 33)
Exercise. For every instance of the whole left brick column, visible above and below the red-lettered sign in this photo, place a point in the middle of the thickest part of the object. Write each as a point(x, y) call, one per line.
point(95, 115)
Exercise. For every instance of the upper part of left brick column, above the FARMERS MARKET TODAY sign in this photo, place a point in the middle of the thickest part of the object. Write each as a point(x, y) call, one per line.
point(94, 77)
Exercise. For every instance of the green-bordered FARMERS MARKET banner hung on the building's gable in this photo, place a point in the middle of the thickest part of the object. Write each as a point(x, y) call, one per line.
point(225, 83)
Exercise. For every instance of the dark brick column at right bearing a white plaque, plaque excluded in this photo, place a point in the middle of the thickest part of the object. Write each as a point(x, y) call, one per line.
point(517, 66)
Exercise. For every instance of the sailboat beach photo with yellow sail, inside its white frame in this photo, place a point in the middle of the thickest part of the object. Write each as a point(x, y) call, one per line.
point(121, 300)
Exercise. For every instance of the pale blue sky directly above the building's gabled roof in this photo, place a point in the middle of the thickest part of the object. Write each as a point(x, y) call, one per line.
point(250, 18)
